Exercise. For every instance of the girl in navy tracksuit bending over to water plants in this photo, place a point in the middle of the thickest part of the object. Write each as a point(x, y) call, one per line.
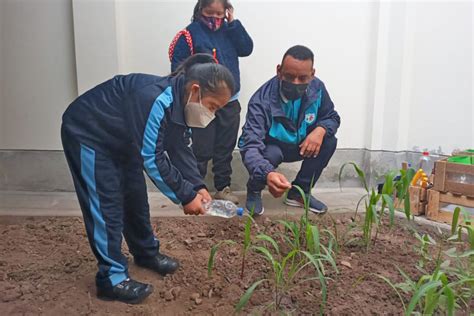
point(116, 130)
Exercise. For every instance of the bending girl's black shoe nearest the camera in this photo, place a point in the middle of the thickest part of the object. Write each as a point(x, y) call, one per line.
point(128, 291)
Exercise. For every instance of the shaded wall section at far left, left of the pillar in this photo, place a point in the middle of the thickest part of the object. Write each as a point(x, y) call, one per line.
point(38, 74)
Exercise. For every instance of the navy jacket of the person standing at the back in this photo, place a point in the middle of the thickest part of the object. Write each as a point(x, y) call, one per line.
point(231, 41)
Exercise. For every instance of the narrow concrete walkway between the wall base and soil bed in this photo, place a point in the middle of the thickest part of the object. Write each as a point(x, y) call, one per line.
point(65, 203)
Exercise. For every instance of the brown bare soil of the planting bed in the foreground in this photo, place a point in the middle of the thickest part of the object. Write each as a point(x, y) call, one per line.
point(46, 267)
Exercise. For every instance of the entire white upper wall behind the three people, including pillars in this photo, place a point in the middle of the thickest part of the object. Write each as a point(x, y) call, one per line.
point(399, 72)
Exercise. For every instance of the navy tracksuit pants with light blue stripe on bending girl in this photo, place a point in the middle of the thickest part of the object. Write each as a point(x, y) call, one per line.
point(113, 198)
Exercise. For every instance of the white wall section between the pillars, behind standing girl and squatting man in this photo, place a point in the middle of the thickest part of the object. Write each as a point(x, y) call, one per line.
point(340, 33)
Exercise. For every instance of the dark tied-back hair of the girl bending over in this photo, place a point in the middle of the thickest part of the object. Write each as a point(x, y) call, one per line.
point(211, 77)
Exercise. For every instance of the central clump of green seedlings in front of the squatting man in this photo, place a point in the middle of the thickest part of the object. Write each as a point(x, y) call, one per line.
point(300, 250)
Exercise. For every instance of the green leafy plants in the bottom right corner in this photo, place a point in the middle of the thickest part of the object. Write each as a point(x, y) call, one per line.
point(449, 287)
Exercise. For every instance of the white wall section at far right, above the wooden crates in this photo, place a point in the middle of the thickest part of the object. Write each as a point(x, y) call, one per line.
point(442, 77)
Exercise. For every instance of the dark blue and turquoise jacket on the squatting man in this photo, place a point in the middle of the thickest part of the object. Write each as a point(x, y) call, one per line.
point(266, 123)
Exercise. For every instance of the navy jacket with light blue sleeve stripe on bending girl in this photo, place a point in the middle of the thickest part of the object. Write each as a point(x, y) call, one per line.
point(140, 116)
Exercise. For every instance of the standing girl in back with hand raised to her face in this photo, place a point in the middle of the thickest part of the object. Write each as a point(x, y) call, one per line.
point(215, 31)
